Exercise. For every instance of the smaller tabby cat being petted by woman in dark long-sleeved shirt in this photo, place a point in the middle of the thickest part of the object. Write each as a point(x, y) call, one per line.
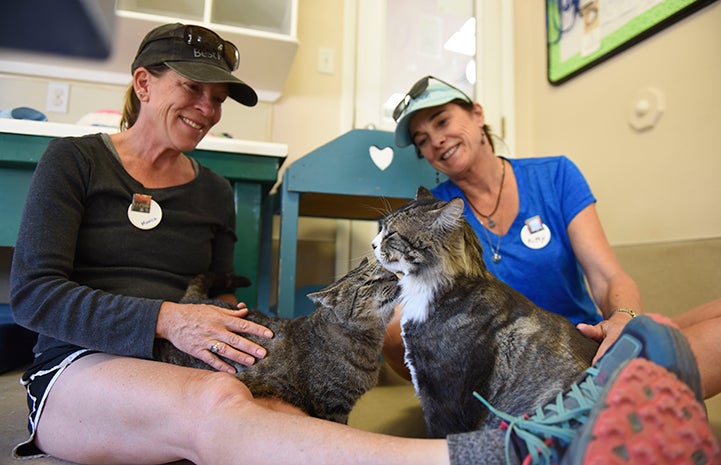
point(322, 362)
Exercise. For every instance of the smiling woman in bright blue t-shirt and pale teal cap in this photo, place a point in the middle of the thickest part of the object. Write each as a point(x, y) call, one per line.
point(537, 221)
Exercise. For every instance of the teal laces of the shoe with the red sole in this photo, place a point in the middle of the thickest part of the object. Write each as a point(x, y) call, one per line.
point(557, 421)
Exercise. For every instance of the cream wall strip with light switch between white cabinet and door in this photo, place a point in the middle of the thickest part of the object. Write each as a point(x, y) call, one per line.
point(307, 116)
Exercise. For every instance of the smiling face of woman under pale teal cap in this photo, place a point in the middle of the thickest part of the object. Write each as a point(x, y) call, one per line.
point(448, 136)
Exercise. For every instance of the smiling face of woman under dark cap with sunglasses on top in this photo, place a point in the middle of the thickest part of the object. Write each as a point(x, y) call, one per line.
point(183, 111)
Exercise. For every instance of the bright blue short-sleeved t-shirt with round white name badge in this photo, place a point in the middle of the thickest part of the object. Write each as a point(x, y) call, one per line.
point(539, 264)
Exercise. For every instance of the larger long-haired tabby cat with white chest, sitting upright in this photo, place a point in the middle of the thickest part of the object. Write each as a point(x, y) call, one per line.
point(464, 330)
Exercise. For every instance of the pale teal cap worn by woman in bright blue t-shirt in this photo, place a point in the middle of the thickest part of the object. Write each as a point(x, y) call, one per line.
point(427, 92)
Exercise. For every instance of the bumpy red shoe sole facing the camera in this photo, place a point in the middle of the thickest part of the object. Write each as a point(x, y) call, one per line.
point(649, 417)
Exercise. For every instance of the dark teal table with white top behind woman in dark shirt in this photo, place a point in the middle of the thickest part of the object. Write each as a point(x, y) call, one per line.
point(251, 168)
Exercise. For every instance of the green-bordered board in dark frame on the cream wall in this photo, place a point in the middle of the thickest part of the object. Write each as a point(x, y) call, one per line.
point(582, 33)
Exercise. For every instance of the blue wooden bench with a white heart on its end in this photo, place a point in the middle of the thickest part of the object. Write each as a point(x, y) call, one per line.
point(361, 174)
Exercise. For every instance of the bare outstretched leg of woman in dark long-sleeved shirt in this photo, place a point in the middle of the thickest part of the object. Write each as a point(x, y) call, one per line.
point(112, 410)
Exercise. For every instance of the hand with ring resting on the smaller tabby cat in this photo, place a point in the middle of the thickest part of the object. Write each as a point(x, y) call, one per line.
point(208, 333)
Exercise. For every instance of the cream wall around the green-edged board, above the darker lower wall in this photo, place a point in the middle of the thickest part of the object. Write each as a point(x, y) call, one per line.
point(658, 185)
